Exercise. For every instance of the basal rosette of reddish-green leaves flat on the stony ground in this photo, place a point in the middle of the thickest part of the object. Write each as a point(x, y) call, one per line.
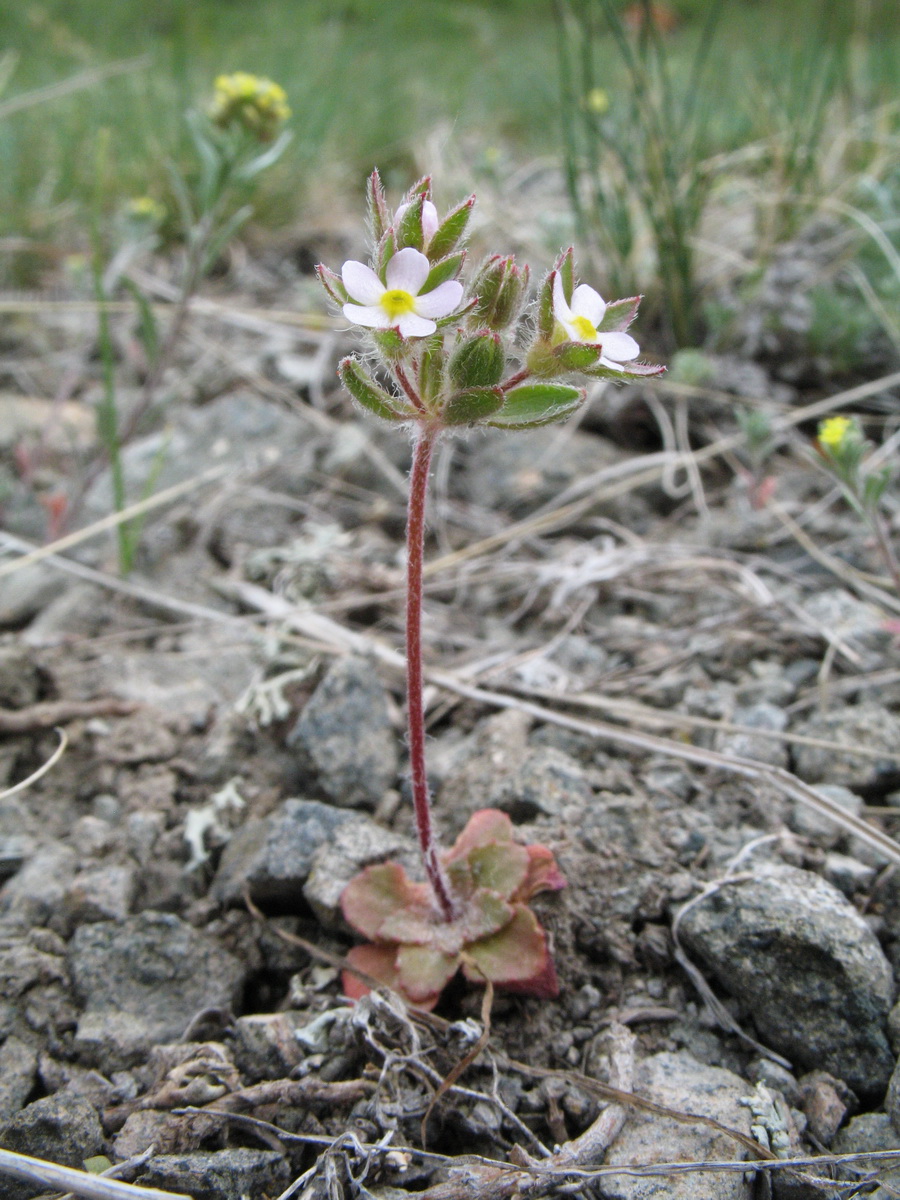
point(495, 935)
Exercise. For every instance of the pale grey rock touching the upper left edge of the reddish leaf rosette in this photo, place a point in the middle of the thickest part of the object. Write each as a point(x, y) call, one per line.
point(357, 844)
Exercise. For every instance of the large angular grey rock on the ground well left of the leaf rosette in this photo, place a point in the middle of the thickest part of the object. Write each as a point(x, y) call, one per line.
point(142, 981)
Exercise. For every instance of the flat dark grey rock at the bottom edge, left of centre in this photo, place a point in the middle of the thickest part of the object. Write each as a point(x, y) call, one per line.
point(219, 1175)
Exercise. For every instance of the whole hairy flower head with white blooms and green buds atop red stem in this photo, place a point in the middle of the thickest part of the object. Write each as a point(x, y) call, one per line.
point(466, 352)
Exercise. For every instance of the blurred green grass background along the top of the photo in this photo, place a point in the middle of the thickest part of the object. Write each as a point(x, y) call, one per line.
point(799, 97)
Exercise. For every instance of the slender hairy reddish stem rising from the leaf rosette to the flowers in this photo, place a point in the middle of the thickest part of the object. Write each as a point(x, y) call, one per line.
point(416, 705)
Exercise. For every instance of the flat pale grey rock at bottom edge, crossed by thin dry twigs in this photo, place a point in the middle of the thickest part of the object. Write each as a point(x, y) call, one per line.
point(680, 1082)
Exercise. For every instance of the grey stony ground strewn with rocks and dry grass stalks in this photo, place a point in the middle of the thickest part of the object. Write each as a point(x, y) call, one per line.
point(599, 620)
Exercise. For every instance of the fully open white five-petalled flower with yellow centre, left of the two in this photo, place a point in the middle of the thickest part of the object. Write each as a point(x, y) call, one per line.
point(399, 305)
